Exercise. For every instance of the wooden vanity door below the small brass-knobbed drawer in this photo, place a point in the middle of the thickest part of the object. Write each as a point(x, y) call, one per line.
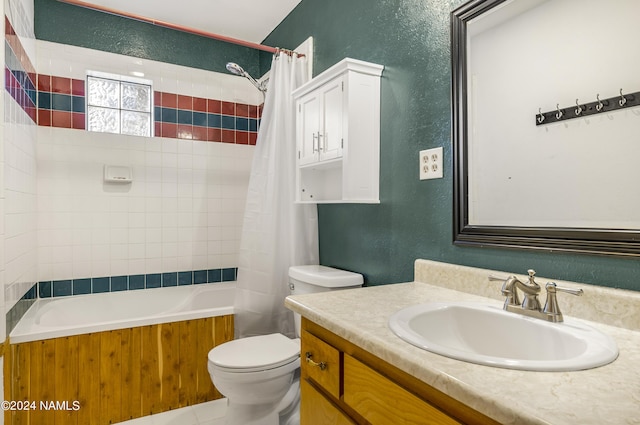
point(315, 409)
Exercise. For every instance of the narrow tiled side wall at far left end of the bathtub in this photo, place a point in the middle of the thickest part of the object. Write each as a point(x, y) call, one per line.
point(18, 203)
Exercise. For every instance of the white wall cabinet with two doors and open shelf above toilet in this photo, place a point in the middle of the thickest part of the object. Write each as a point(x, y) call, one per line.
point(338, 135)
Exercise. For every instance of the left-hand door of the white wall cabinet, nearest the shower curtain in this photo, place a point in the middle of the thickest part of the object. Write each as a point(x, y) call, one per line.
point(308, 125)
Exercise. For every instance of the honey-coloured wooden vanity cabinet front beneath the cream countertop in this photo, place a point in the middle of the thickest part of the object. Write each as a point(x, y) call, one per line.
point(343, 384)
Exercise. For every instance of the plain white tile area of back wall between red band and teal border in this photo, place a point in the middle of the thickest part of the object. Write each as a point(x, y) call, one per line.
point(183, 210)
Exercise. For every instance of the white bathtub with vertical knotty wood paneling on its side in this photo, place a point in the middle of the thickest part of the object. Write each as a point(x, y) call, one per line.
point(118, 355)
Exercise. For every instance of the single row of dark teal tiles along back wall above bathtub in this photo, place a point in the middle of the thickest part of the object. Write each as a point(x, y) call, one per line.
point(64, 288)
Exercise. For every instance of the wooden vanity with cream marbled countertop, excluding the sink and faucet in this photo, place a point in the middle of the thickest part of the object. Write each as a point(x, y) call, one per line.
point(358, 371)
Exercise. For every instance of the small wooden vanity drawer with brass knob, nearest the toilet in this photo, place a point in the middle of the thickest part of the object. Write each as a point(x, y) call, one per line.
point(320, 362)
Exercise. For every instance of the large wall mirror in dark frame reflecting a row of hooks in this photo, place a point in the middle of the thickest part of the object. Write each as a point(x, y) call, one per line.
point(546, 125)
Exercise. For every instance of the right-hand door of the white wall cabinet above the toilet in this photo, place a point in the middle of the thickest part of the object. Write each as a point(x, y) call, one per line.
point(331, 137)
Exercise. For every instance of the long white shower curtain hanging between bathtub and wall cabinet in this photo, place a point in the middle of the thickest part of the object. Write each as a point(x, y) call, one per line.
point(276, 232)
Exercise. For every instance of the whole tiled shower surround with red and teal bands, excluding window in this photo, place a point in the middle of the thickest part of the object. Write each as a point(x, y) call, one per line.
point(177, 222)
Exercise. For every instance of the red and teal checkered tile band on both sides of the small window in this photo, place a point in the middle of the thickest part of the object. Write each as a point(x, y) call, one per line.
point(54, 101)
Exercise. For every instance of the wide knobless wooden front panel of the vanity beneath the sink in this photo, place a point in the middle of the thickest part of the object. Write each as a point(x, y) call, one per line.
point(381, 401)
